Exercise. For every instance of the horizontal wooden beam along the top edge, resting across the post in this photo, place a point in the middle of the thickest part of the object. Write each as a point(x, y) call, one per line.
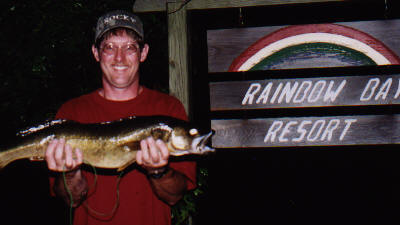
point(160, 5)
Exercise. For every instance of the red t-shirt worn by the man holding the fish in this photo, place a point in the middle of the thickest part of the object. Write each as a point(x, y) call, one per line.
point(137, 203)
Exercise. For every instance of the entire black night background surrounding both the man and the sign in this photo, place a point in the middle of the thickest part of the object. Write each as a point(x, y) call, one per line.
point(46, 60)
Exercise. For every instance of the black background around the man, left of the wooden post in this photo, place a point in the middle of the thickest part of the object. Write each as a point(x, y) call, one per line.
point(46, 59)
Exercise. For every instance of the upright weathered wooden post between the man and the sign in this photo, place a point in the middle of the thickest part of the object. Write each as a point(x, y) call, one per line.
point(178, 54)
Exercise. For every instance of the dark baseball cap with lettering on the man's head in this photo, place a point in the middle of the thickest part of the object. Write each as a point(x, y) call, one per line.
point(116, 19)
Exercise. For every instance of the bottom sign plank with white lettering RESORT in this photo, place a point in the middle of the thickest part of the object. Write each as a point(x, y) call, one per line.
point(306, 131)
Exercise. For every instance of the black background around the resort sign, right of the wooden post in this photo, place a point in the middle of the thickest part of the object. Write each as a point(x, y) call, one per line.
point(296, 185)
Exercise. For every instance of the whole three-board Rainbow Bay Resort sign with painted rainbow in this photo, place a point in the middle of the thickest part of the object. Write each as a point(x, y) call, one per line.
point(331, 45)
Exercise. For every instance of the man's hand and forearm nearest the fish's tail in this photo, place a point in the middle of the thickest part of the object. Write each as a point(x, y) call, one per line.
point(60, 158)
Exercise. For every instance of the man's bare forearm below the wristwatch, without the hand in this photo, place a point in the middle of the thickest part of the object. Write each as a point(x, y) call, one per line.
point(170, 187)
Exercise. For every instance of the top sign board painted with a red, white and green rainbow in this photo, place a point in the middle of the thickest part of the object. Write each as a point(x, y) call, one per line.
point(341, 44)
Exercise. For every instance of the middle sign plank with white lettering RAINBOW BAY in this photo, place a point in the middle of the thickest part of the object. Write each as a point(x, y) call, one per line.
point(305, 92)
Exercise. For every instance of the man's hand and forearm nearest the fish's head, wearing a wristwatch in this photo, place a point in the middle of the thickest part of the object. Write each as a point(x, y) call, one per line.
point(168, 184)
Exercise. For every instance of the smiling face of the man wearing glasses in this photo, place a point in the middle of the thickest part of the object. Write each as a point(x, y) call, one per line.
point(119, 57)
